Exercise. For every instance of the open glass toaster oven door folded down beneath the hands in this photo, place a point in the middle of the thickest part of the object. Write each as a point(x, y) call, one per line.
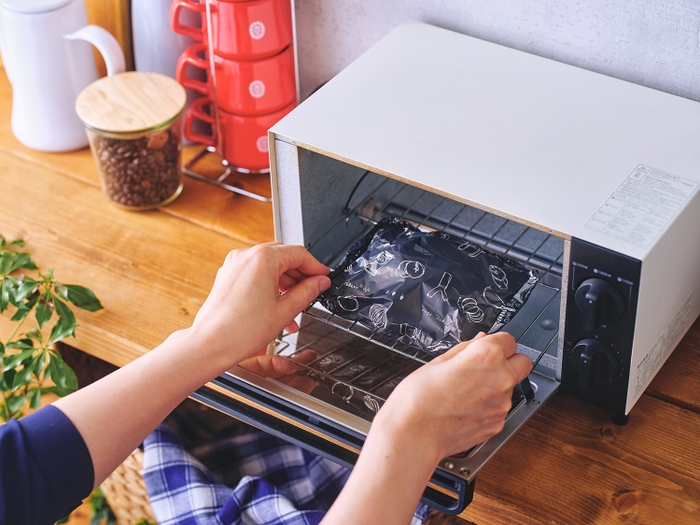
point(321, 387)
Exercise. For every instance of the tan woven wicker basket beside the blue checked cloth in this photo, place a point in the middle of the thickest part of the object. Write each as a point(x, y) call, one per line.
point(126, 493)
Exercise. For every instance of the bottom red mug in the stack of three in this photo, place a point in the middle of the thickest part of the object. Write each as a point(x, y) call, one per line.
point(243, 138)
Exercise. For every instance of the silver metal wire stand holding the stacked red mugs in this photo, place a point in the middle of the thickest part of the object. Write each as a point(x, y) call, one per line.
point(220, 181)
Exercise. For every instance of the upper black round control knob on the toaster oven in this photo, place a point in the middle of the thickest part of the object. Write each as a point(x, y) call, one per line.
point(600, 303)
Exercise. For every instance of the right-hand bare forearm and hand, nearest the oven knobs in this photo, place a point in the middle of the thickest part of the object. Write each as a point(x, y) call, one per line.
point(449, 405)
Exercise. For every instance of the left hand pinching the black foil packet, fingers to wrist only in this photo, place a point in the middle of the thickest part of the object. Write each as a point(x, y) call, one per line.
point(257, 293)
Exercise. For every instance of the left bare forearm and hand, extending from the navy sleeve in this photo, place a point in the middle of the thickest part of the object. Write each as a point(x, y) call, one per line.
point(242, 314)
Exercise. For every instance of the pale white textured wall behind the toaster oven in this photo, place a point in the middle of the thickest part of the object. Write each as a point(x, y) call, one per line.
point(655, 43)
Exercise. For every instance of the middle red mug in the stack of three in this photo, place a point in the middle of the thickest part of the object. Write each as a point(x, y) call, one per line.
point(243, 87)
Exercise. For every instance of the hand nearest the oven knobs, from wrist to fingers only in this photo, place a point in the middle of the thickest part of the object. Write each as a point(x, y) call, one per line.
point(456, 401)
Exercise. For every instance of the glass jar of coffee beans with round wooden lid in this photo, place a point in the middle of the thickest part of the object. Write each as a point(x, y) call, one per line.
point(134, 124)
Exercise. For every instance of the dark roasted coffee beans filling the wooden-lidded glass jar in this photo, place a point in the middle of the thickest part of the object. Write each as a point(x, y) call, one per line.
point(141, 172)
